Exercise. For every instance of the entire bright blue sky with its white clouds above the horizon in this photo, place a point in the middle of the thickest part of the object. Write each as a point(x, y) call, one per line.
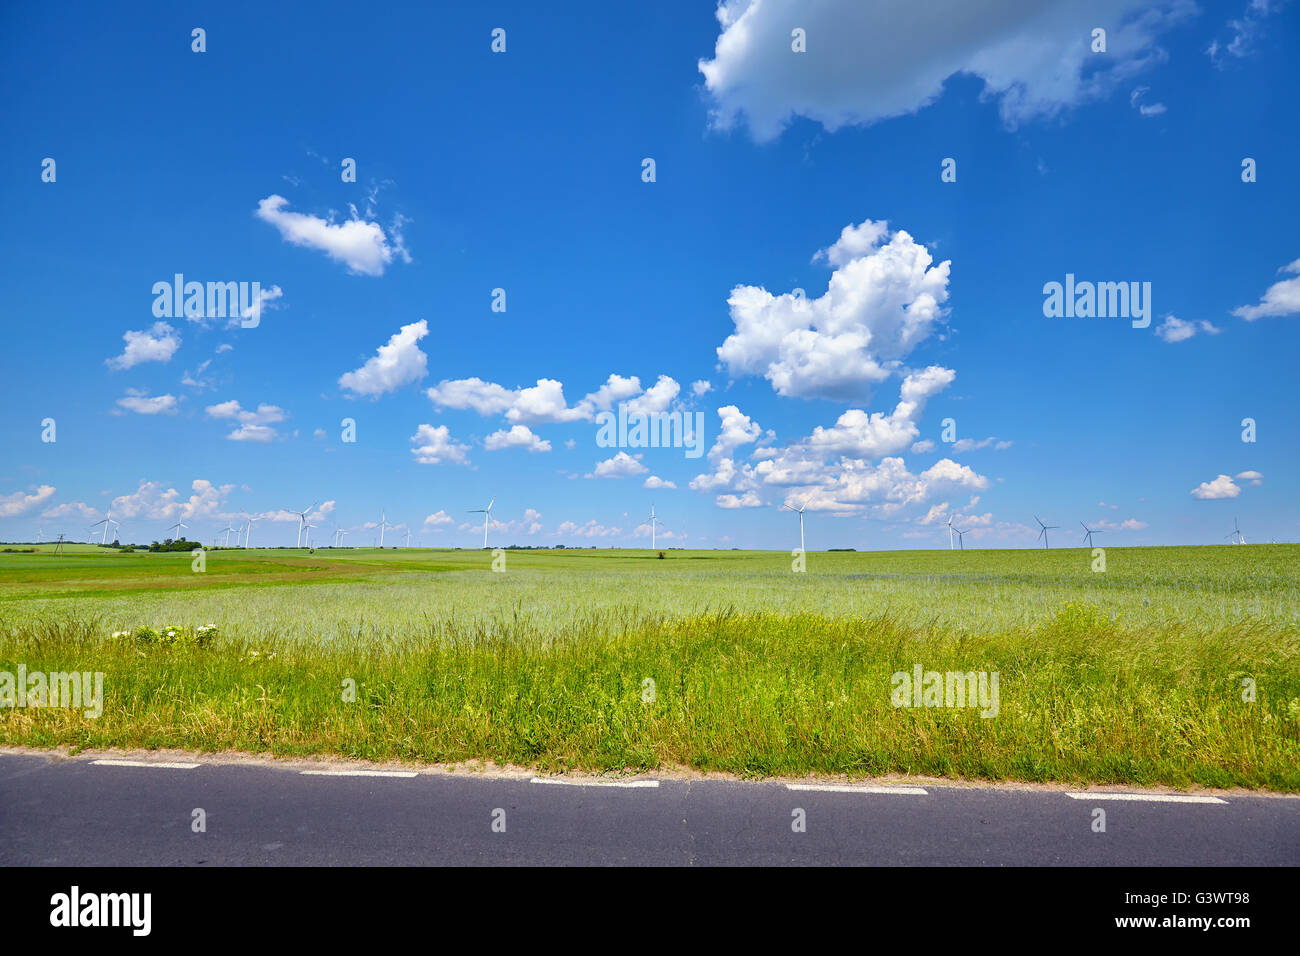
point(775, 171)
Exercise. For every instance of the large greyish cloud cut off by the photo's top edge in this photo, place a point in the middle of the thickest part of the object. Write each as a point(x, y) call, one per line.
point(879, 59)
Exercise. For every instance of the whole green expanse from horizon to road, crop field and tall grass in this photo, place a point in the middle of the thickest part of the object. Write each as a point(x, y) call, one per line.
point(1130, 676)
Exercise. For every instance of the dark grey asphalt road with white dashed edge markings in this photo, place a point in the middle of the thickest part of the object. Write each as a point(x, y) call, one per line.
point(73, 812)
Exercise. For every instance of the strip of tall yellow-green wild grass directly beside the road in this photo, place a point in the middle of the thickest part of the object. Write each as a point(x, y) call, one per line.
point(1081, 699)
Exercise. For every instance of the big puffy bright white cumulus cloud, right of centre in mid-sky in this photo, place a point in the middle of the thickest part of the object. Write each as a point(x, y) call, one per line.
point(883, 300)
